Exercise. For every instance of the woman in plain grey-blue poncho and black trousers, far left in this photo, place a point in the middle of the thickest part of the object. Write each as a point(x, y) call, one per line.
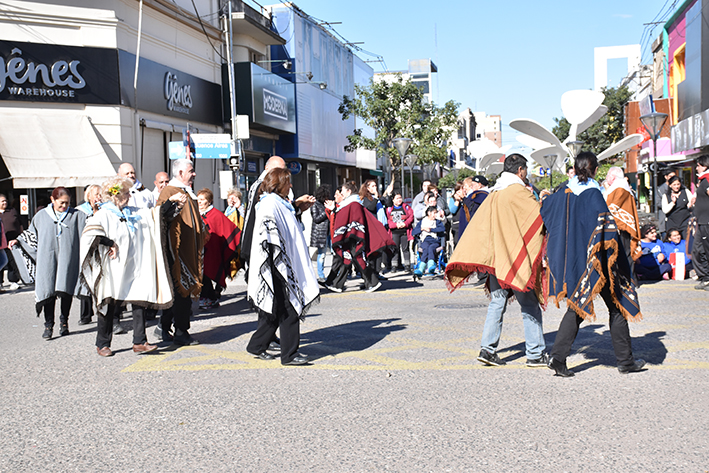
point(50, 249)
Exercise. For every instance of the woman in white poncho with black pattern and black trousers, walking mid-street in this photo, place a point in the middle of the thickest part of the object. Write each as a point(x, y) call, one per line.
point(282, 283)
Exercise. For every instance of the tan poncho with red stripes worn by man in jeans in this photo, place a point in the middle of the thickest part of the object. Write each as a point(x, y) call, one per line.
point(507, 242)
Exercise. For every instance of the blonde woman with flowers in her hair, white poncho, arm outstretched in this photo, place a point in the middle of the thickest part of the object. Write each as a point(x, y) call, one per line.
point(122, 261)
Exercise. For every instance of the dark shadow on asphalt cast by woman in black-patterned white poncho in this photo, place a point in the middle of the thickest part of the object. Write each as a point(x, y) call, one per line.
point(353, 336)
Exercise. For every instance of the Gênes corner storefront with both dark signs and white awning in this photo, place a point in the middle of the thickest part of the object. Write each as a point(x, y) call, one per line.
point(70, 115)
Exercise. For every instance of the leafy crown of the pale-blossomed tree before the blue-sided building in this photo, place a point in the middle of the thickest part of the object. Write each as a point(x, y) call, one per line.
point(397, 110)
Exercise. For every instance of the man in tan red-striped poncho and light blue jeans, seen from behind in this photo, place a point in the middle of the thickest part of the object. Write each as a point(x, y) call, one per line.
point(506, 244)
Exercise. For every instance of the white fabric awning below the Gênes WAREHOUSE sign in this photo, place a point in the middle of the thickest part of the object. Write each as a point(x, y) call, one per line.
point(50, 148)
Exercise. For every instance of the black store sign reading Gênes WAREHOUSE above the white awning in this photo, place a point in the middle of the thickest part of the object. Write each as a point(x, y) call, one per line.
point(51, 73)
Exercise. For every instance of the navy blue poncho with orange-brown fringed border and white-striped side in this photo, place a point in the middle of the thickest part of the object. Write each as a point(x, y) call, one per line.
point(585, 253)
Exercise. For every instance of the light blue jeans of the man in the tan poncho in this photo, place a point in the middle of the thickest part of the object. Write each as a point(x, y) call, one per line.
point(531, 317)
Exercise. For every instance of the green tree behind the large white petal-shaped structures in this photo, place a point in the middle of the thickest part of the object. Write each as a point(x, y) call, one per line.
point(608, 129)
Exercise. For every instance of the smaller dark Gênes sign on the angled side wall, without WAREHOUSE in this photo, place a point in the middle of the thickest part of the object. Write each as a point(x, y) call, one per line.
point(168, 91)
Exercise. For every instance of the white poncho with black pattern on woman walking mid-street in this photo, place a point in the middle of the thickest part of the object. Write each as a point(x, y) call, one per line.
point(279, 250)
